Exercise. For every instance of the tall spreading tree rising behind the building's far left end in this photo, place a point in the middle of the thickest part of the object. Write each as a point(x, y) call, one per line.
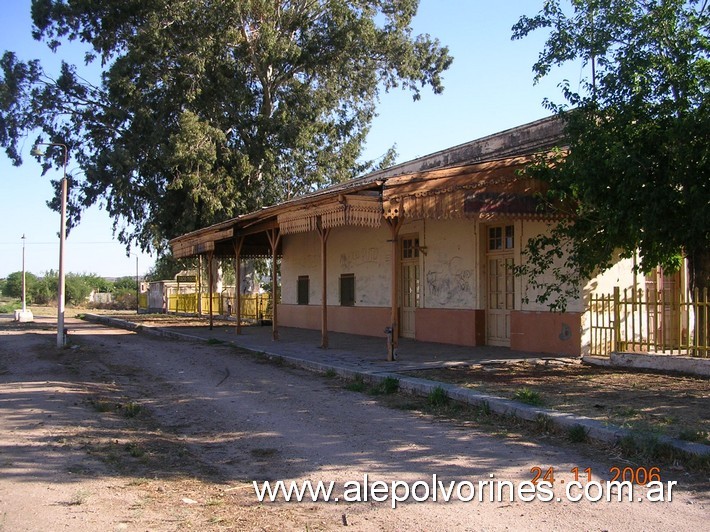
point(207, 109)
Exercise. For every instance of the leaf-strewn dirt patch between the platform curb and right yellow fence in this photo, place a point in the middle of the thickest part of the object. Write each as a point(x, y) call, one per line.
point(674, 405)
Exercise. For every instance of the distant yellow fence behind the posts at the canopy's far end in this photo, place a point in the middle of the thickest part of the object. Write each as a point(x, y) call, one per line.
point(253, 306)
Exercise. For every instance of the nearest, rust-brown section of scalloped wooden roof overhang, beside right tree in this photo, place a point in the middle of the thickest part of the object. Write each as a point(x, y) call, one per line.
point(492, 189)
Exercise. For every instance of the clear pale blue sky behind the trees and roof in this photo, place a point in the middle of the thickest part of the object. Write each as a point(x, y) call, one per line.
point(488, 88)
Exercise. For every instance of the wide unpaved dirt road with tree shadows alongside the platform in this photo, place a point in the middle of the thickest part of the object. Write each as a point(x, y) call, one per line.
point(129, 432)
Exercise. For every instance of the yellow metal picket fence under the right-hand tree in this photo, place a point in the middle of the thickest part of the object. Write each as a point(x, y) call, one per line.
point(649, 321)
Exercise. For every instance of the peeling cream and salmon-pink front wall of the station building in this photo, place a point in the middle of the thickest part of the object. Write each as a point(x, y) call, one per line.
point(452, 279)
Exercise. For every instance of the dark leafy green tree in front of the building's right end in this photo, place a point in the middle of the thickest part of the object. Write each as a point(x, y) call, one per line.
point(637, 173)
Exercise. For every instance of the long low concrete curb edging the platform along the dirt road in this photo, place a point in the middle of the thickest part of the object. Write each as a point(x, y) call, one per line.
point(596, 430)
